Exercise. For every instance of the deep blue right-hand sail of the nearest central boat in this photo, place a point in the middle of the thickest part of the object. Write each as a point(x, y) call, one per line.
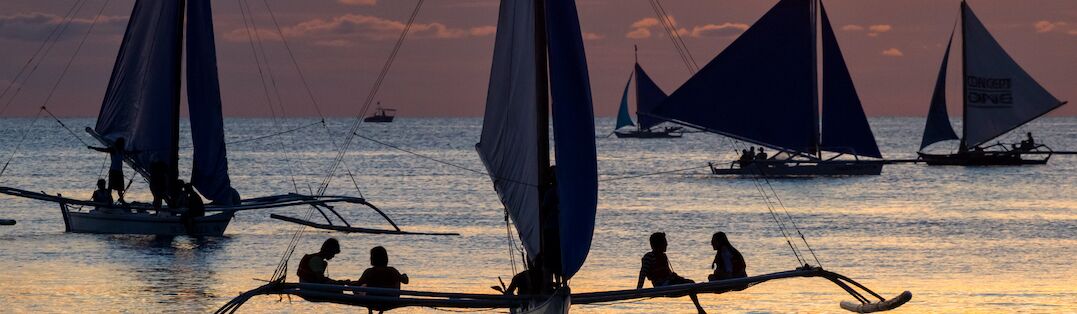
point(574, 135)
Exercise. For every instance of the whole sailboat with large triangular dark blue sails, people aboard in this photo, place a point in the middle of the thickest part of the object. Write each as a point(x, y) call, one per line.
point(764, 90)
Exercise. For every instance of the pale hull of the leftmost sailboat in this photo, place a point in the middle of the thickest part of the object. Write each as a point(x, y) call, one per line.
point(127, 223)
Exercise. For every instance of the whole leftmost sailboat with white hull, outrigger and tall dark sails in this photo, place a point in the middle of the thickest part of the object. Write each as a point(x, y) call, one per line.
point(143, 106)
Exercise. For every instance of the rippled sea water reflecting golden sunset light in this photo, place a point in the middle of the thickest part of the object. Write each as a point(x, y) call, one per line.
point(982, 240)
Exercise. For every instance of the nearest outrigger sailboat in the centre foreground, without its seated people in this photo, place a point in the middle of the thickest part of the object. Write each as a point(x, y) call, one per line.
point(553, 208)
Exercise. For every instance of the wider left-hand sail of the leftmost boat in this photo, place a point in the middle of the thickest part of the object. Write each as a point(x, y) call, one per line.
point(143, 101)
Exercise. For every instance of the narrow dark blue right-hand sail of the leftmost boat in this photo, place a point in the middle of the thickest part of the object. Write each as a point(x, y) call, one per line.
point(211, 166)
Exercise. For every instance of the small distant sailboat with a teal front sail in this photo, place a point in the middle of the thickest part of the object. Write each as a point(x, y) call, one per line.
point(648, 96)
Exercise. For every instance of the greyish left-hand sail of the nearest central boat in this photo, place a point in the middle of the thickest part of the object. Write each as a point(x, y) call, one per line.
point(510, 127)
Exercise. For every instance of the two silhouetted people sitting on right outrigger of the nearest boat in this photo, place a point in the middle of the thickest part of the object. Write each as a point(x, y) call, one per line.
point(729, 264)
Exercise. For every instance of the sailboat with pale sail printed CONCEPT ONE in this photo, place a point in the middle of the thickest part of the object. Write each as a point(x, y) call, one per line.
point(999, 97)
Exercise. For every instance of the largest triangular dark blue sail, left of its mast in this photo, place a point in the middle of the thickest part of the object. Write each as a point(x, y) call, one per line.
point(760, 89)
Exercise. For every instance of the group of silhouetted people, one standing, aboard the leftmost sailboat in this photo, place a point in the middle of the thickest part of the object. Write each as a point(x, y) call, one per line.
point(176, 195)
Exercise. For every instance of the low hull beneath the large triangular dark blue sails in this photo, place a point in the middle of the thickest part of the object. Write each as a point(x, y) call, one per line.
point(802, 169)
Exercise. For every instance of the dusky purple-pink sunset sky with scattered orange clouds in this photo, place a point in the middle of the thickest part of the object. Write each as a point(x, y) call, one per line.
point(893, 50)
